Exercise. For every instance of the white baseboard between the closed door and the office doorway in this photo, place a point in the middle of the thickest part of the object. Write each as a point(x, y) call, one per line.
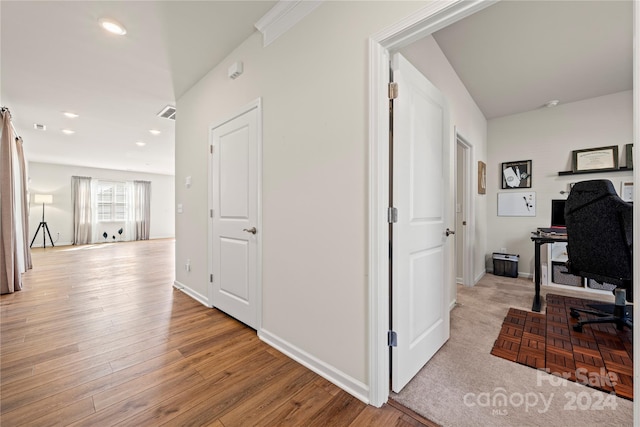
point(352, 386)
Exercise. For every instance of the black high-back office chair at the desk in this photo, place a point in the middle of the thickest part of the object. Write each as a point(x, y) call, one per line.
point(600, 247)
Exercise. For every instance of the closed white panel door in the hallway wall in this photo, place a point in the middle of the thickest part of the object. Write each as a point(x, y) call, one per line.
point(235, 222)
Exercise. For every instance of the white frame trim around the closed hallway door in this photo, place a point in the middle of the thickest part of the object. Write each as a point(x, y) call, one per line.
point(256, 104)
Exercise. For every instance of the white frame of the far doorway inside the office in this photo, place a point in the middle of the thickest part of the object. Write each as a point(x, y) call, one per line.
point(468, 211)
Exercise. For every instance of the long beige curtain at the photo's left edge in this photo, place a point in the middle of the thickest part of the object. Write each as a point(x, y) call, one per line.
point(15, 257)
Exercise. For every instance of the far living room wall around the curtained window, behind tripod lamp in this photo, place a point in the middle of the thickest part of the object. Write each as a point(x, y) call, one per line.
point(53, 179)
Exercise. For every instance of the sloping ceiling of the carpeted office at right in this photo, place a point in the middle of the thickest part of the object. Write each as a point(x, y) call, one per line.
point(515, 56)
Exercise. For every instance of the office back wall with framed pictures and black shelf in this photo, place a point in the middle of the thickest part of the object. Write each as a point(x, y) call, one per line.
point(547, 137)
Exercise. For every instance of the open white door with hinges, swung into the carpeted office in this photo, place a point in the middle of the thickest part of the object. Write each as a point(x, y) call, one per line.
point(421, 255)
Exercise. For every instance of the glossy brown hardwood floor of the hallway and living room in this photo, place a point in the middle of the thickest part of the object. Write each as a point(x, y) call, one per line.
point(99, 336)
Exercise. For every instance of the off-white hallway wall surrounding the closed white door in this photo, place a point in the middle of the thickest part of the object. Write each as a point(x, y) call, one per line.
point(313, 83)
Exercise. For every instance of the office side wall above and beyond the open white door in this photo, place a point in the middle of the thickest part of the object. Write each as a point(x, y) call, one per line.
point(469, 122)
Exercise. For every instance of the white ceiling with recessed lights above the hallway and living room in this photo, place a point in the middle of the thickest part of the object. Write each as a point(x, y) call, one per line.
point(56, 58)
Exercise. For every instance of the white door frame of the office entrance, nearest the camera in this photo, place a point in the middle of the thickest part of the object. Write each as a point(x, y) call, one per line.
point(422, 23)
